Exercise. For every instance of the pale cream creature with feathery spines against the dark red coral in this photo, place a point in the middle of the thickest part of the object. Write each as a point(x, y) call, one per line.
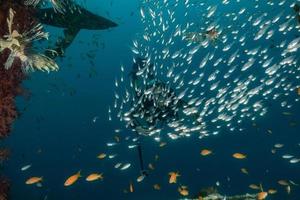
point(20, 47)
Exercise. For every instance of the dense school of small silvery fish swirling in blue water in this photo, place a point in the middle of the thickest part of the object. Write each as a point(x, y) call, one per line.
point(226, 68)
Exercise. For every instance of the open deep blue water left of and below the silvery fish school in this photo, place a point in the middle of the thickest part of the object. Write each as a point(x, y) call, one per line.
point(58, 135)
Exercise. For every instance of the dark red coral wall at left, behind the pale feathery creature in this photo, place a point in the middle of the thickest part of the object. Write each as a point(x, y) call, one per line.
point(11, 79)
